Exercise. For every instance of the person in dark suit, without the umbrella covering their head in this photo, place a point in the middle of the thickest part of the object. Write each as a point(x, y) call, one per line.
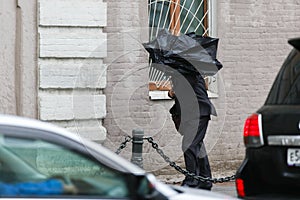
point(191, 114)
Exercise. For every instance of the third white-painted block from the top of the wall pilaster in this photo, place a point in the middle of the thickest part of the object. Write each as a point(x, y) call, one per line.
point(72, 73)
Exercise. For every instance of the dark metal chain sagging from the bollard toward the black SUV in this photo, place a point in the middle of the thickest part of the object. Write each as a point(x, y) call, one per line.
point(183, 171)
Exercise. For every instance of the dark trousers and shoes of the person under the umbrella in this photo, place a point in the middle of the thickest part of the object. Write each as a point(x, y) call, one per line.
point(195, 155)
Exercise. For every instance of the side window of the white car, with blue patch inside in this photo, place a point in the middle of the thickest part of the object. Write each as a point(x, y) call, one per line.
point(28, 167)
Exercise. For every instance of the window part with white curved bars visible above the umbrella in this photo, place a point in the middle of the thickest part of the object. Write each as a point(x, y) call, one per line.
point(180, 16)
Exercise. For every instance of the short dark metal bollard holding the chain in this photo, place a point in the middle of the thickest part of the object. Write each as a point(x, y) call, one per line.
point(137, 147)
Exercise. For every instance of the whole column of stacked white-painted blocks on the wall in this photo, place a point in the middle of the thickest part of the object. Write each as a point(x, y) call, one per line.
point(72, 75)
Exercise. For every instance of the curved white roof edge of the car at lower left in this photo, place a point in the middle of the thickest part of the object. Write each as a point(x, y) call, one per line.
point(16, 121)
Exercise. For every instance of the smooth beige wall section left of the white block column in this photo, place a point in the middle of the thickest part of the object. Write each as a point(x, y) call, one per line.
point(18, 58)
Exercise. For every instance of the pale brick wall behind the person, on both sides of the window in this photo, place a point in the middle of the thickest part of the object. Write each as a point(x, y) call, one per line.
point(253, 44)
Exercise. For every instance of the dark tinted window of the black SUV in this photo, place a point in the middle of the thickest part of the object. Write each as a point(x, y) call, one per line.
point(286, 88)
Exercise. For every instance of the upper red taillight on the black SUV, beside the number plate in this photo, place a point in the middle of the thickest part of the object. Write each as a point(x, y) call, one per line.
point(253, 131)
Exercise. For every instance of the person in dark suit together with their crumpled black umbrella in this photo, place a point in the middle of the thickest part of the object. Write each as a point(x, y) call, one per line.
point(187, 58)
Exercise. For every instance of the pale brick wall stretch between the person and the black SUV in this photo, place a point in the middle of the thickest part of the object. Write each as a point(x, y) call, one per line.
point(253, 45)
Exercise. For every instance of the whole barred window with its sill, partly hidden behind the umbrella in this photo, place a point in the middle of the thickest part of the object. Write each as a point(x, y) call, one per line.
point(178, 16)
